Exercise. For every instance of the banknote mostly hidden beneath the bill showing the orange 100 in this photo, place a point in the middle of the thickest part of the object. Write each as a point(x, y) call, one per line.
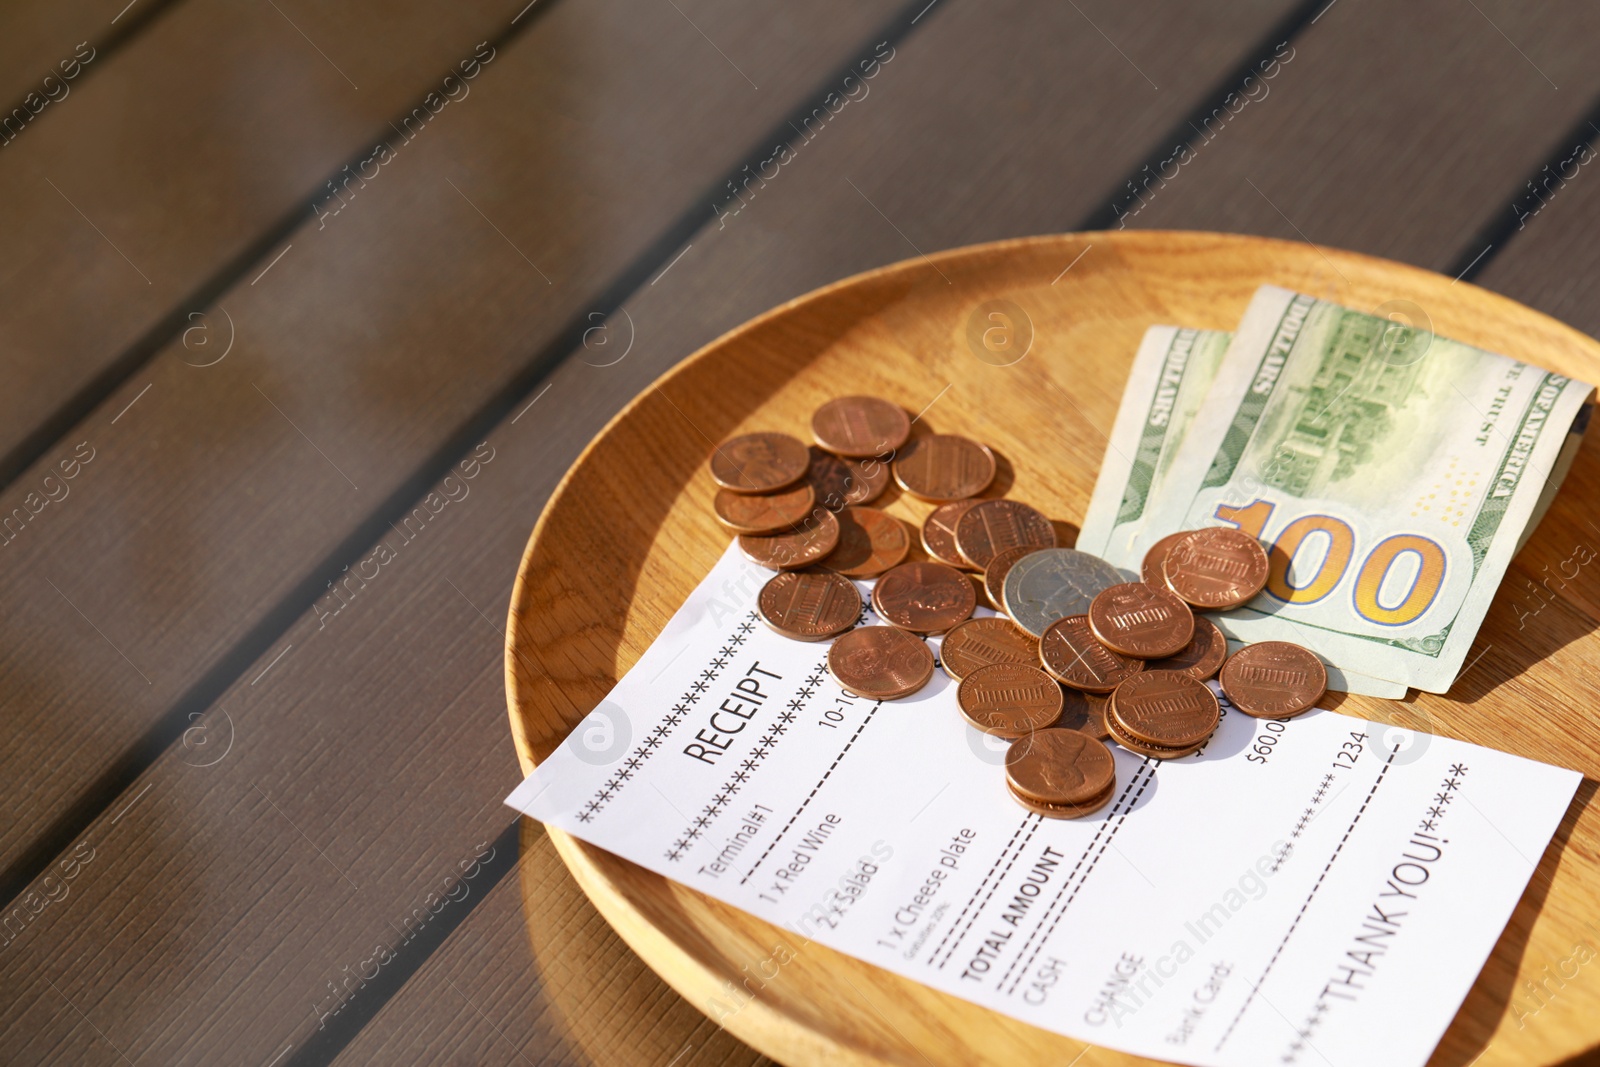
point(1169, 382)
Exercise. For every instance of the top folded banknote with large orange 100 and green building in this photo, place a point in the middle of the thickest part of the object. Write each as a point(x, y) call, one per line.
point(1391, 473)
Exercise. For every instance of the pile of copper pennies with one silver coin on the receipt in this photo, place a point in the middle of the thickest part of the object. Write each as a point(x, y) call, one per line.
point(1079, 657)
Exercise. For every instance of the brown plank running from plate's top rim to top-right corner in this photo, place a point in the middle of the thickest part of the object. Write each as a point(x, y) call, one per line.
point(1425, 113)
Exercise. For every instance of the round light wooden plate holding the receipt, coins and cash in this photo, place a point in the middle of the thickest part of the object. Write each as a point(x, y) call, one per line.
point(1026, 346)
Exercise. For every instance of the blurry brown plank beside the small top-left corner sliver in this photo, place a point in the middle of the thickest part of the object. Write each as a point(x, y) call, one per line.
point(164, 164)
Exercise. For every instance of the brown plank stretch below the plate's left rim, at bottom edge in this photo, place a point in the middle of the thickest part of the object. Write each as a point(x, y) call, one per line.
point(514, 986)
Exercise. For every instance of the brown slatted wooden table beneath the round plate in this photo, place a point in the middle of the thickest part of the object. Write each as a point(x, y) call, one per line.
point(308, 310)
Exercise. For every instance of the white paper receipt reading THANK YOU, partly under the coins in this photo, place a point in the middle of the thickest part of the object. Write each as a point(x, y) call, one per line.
point(1314, 892)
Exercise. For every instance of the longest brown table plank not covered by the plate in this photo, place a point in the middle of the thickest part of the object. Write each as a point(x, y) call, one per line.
point(358, 356)
